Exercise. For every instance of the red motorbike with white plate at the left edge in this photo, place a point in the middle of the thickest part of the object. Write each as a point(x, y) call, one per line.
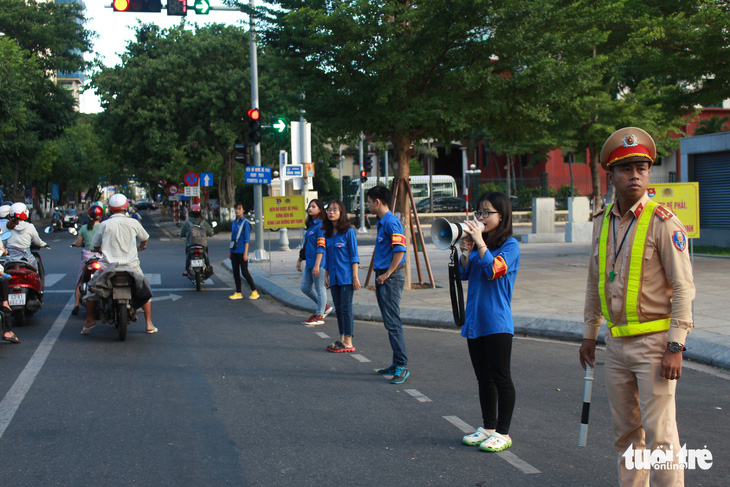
point(26, 287)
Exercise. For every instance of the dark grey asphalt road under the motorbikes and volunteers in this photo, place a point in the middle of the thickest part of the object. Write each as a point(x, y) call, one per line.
point(240, 393)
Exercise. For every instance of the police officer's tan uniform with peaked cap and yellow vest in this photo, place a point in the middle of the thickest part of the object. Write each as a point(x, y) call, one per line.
point(644, 288)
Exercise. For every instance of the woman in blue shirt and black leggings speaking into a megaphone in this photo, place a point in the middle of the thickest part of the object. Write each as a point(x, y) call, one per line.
point(490, 262)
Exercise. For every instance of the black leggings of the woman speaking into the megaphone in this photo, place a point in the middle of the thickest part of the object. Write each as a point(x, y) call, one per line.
point(490, 357)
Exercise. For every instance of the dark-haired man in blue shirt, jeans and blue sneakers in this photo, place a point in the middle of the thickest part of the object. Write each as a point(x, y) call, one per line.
point(389, 258)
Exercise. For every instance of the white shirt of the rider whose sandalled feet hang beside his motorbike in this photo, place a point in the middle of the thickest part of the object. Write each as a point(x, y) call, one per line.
point(118, 237)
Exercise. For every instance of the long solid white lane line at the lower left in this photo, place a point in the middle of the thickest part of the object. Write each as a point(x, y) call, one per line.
point(17, 392)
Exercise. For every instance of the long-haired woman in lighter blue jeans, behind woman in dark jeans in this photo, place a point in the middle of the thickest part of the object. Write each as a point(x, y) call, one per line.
point(311, 254)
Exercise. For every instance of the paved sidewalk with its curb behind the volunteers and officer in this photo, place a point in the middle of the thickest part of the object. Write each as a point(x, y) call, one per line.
point(548, 297)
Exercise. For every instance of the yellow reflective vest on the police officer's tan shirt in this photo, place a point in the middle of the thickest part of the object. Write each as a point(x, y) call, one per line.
point(633, 283)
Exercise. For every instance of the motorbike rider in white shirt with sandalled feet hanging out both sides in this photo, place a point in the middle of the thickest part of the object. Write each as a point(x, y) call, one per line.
point(117, 239)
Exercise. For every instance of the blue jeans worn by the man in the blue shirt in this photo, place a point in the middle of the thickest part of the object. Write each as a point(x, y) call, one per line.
point(388, 295)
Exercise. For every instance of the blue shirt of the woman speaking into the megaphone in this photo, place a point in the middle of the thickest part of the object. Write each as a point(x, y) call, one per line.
point(489, 297)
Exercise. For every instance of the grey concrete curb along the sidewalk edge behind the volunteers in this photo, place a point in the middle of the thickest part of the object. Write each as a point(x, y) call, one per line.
point(702, 349)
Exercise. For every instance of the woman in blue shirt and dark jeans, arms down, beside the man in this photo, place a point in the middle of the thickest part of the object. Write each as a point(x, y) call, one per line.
point(340, 264)
